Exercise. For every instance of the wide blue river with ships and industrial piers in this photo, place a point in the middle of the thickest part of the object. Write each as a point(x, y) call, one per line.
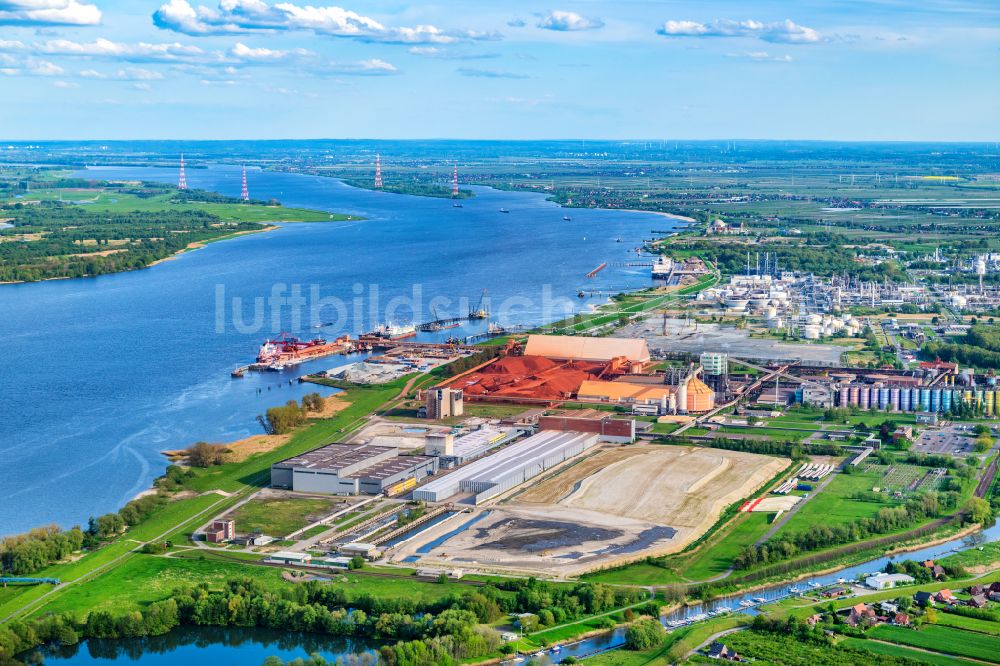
point(101, 374)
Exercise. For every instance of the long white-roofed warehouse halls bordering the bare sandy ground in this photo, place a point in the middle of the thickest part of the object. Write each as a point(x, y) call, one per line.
point(509, 467)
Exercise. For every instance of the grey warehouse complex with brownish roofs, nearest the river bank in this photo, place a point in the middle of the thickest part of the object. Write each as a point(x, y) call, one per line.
point(350, 469)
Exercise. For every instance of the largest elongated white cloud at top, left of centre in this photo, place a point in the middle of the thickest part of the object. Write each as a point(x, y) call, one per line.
point(256, 16)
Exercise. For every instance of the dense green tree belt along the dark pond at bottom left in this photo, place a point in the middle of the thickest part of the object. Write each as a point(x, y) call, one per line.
point(419, 632)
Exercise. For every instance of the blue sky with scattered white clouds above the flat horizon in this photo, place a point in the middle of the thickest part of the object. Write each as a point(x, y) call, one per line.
point(845, 69)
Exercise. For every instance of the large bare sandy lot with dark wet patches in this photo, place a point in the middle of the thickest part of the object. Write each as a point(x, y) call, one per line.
point(612, 506)
